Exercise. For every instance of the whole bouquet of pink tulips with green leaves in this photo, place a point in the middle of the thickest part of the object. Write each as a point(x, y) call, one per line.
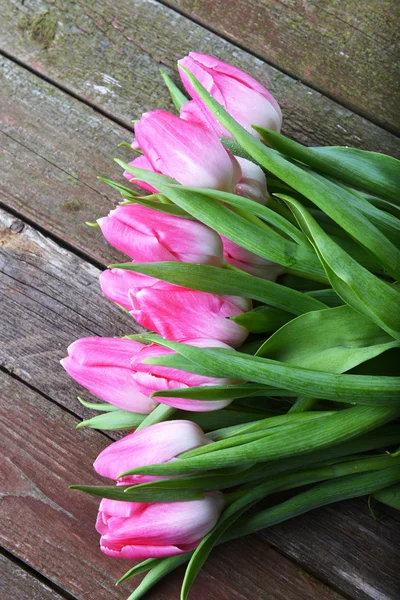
point(265, 273)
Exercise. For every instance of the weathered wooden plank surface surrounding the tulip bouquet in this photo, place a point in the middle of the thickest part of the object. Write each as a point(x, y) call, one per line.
point(74, 75)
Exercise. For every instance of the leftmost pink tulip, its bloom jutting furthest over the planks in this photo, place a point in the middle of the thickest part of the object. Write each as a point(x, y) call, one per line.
point(103, 366)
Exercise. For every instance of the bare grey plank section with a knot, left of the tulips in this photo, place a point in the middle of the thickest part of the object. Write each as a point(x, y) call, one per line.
point(49, 297)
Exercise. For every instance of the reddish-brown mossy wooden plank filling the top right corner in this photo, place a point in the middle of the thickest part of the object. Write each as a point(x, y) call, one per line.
point(345, 48)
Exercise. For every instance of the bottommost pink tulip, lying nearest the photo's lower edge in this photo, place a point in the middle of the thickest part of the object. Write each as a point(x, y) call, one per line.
point(136, 530)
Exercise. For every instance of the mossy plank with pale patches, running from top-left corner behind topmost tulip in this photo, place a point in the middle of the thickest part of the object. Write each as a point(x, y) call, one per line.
point(109, 55)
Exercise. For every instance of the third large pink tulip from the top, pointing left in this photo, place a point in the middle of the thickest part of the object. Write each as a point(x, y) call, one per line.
point(148, 235)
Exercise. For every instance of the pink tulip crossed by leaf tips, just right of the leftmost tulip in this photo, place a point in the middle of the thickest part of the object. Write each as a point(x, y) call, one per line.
point(153, 378)
